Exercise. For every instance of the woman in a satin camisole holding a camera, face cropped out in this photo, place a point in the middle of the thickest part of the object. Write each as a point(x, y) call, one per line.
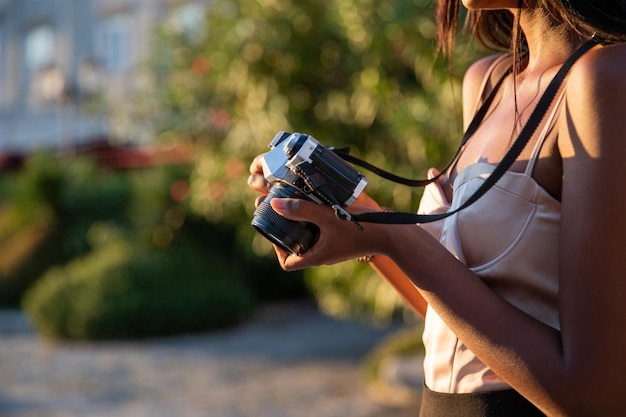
point(523, 291)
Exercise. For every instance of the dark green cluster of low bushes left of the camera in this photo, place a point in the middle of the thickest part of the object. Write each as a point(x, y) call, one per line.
point(94, 253)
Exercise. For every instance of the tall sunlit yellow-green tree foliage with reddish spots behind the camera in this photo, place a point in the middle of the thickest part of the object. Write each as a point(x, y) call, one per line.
point(349, 72)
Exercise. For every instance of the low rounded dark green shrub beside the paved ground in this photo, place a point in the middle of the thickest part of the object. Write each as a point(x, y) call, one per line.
point(117, 292)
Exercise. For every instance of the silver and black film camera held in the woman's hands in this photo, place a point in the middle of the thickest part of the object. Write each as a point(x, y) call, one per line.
point(297, 166)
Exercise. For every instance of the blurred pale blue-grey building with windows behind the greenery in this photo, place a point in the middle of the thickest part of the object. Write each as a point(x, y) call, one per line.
point(65, 63)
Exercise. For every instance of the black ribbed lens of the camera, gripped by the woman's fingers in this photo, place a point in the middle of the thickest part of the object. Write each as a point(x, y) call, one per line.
point(293, 236)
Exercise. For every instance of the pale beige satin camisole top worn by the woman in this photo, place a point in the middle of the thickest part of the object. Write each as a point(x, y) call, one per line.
point(509, 238)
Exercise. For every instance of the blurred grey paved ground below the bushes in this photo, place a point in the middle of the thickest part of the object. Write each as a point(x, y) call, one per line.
point(290, 361)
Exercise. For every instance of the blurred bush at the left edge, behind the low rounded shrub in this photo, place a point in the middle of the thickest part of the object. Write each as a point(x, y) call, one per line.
point(47, 211)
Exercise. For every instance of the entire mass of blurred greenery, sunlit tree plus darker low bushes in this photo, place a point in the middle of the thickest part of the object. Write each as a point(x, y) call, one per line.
point(96, 249)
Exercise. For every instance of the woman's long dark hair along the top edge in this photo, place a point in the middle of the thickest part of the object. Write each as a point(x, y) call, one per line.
point(496, 29)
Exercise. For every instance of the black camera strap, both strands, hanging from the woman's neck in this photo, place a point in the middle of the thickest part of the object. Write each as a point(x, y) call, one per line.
point(527, 132)
